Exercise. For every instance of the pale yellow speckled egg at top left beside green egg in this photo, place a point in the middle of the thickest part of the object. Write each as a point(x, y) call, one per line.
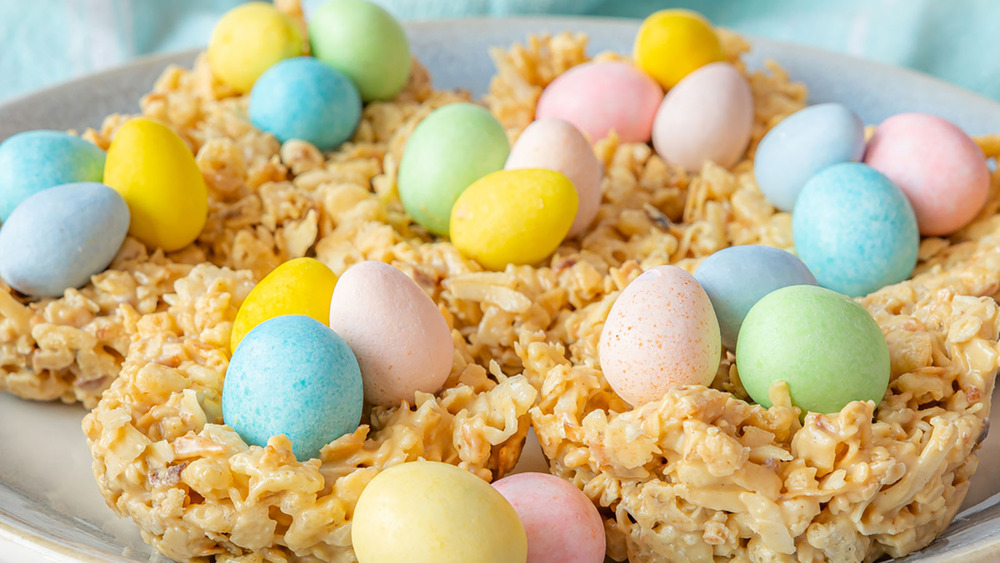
point(248, 40)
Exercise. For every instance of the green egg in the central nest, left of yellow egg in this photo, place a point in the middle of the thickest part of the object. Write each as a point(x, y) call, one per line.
point(449, 150)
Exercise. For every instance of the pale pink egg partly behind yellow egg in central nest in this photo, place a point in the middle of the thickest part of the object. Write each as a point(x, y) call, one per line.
point(557, 145)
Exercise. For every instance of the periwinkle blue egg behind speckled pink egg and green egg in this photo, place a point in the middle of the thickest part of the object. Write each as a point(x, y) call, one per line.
point(737, 277)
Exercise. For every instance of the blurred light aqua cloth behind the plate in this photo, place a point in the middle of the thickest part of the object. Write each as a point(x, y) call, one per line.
point(44, 42)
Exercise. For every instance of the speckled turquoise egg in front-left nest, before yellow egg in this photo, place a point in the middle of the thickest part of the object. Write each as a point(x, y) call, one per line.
point(295, 376)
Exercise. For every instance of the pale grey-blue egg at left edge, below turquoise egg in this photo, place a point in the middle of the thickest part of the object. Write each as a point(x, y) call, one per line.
point(59, 237)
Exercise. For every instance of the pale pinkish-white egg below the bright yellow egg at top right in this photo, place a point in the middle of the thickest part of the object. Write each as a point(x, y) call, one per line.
point(707, 117)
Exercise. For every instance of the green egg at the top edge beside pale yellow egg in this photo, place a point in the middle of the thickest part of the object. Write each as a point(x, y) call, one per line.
point(364, 42)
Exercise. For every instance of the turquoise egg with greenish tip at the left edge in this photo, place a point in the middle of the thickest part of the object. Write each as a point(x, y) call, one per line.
point(35, 160)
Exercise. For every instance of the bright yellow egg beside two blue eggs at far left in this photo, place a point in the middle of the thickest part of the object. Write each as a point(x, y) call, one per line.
point(152, 168)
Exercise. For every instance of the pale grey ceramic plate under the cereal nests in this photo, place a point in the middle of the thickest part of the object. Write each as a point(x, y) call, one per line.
point(49, 503)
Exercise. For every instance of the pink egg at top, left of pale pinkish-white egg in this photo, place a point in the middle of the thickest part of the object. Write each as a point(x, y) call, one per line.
point(601, 97)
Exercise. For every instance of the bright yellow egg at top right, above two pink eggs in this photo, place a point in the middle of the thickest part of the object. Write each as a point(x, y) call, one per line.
point(674, 43)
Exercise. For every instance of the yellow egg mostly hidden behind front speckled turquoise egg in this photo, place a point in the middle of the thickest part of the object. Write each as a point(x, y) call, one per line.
point(302, 286)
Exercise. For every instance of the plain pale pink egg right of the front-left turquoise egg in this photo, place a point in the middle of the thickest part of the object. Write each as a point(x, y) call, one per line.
point(401, 340)
